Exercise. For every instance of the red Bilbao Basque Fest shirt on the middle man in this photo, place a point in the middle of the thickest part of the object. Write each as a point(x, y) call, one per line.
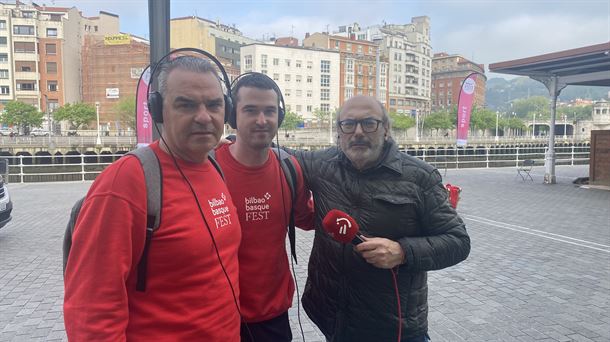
point(266, 284)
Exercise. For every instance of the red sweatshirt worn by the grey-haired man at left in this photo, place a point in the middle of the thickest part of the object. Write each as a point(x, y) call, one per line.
point(187, 295)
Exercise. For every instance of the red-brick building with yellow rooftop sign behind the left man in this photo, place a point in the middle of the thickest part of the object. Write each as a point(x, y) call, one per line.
point(114, 64)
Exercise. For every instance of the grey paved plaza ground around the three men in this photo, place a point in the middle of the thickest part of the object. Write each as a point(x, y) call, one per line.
point(539, 269)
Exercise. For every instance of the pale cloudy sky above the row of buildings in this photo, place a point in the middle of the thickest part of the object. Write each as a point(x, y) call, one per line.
point(484, 31)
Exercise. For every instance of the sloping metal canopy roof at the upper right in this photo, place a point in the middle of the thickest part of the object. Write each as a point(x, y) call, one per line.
point(589, 65)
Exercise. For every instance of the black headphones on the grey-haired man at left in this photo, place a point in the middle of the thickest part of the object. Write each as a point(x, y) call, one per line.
point(155, 100)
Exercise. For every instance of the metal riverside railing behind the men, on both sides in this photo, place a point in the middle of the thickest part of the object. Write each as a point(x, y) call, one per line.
point(82, 167)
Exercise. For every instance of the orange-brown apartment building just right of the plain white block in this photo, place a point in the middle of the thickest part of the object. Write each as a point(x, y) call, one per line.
point(358, 69)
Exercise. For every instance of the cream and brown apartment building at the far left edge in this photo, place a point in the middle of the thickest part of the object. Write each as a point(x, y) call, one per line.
point(36, 43)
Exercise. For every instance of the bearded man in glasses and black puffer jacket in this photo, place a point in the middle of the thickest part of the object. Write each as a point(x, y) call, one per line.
point(401, 207)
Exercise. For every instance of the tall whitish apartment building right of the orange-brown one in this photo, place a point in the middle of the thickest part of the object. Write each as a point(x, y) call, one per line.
point(409, 54)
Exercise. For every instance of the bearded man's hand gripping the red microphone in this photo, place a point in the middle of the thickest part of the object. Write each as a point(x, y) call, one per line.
point(381, 252)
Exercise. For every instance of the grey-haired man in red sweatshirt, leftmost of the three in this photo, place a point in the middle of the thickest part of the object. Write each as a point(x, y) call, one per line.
point(192, 288)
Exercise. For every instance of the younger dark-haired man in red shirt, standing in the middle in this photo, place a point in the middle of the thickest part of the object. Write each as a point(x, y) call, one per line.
point(262, 196)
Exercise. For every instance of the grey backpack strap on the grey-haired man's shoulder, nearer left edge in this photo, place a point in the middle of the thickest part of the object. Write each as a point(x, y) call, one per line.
point(153, 178)
